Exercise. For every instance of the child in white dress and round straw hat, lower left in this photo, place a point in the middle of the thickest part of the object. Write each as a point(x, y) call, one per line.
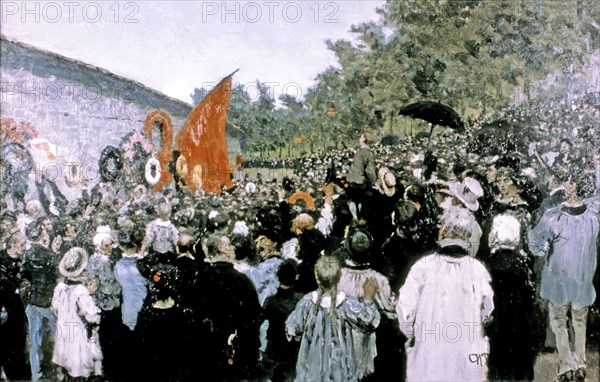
point(77, 347)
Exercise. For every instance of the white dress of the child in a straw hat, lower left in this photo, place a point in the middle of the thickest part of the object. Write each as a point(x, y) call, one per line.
point(74, 349)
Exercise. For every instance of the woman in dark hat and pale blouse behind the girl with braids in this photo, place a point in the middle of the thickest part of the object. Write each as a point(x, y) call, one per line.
point(356, 271)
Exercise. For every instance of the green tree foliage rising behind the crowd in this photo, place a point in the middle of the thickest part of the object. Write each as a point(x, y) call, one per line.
point(471, 55)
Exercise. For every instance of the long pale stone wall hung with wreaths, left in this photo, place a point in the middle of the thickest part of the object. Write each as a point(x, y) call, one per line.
point(77, 107)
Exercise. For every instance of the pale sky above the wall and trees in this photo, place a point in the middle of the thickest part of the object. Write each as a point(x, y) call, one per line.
point(176, 46)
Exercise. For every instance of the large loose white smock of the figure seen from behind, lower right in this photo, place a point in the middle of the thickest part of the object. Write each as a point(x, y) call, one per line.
point(442, 307)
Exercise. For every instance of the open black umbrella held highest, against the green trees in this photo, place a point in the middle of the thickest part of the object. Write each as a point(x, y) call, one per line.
point(435, 113)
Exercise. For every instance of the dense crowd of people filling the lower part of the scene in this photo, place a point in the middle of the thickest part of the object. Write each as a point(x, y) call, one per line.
point(426, 260)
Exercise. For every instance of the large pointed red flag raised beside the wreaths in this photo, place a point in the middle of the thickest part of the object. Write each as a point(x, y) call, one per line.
point(203, 142)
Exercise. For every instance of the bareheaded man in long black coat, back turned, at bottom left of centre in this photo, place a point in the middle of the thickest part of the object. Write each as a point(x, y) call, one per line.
point(227, 315)
